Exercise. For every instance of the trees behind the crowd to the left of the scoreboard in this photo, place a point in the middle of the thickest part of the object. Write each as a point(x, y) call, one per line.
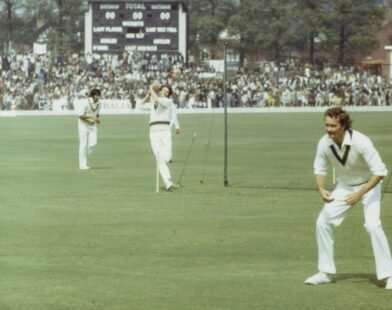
point(19, 22)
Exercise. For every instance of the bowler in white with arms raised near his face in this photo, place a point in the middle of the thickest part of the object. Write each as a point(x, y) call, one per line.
point(160, 131)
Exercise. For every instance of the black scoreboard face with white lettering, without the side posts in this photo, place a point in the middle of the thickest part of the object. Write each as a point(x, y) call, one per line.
point(135, 27)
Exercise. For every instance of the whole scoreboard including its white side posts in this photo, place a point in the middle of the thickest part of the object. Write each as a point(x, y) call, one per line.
point(147, 26)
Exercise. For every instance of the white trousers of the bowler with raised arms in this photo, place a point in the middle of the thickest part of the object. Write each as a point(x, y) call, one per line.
point(160, 139)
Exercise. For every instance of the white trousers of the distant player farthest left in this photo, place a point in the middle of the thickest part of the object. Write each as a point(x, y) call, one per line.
point(87, 141)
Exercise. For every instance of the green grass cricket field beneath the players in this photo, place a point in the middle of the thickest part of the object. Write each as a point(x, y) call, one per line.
point(103, 239)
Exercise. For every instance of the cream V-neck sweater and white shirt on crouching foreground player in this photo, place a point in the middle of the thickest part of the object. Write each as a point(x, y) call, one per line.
point(355, 162)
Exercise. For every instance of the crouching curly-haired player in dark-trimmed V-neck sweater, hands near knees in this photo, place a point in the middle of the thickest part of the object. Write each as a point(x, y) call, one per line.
point(359, 171)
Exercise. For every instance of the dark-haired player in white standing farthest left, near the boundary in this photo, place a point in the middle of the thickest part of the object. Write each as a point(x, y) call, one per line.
point(87, 126)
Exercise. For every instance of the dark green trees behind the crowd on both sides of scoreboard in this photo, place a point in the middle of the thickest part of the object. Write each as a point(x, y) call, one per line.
point(274, 28)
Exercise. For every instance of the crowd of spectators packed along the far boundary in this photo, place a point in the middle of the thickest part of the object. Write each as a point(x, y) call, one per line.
point(30, 81)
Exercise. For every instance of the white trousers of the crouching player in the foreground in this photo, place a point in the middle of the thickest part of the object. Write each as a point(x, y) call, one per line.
point(333, 214)
